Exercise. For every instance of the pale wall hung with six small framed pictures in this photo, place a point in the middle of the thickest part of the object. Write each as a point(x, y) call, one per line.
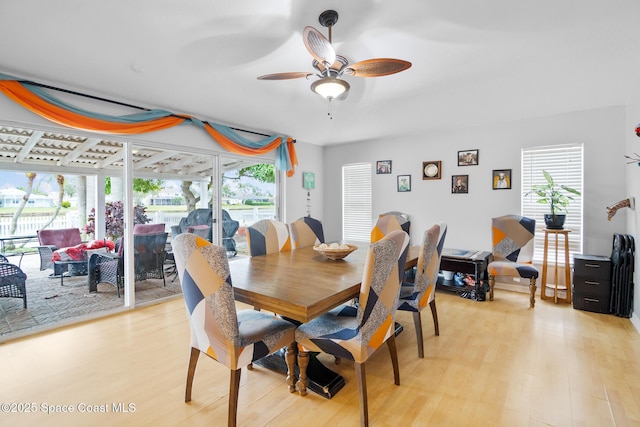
point(602, 132)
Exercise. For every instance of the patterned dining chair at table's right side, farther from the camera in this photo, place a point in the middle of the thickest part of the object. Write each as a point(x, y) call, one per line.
point(415, 297)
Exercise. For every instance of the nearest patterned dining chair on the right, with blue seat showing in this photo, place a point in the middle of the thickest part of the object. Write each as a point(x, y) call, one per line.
point(357, 338)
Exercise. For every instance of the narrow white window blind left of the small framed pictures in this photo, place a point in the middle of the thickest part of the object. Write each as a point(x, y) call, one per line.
point(356, 201)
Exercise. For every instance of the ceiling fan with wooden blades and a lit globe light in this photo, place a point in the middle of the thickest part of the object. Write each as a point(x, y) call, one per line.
point(331, 67)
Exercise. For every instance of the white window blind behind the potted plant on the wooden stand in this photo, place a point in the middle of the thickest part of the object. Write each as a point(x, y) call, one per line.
point(565, 164)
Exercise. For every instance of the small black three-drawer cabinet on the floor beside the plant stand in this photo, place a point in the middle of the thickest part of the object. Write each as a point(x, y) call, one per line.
point(592, 283)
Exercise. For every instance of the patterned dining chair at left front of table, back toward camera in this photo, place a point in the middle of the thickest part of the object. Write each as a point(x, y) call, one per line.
point(232, 338)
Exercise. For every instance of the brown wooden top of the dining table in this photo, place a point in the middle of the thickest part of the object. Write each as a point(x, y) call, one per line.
point(302, 284)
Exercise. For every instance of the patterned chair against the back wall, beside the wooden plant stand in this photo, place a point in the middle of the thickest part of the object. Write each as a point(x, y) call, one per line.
point(513, 243)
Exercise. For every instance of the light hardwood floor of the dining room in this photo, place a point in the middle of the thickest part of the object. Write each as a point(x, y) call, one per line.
point(494, 364)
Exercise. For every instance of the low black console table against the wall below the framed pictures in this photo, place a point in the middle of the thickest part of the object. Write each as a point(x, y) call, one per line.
point(469, 262)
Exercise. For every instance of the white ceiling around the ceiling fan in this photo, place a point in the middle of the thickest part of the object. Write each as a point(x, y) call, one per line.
point(474, 61)
